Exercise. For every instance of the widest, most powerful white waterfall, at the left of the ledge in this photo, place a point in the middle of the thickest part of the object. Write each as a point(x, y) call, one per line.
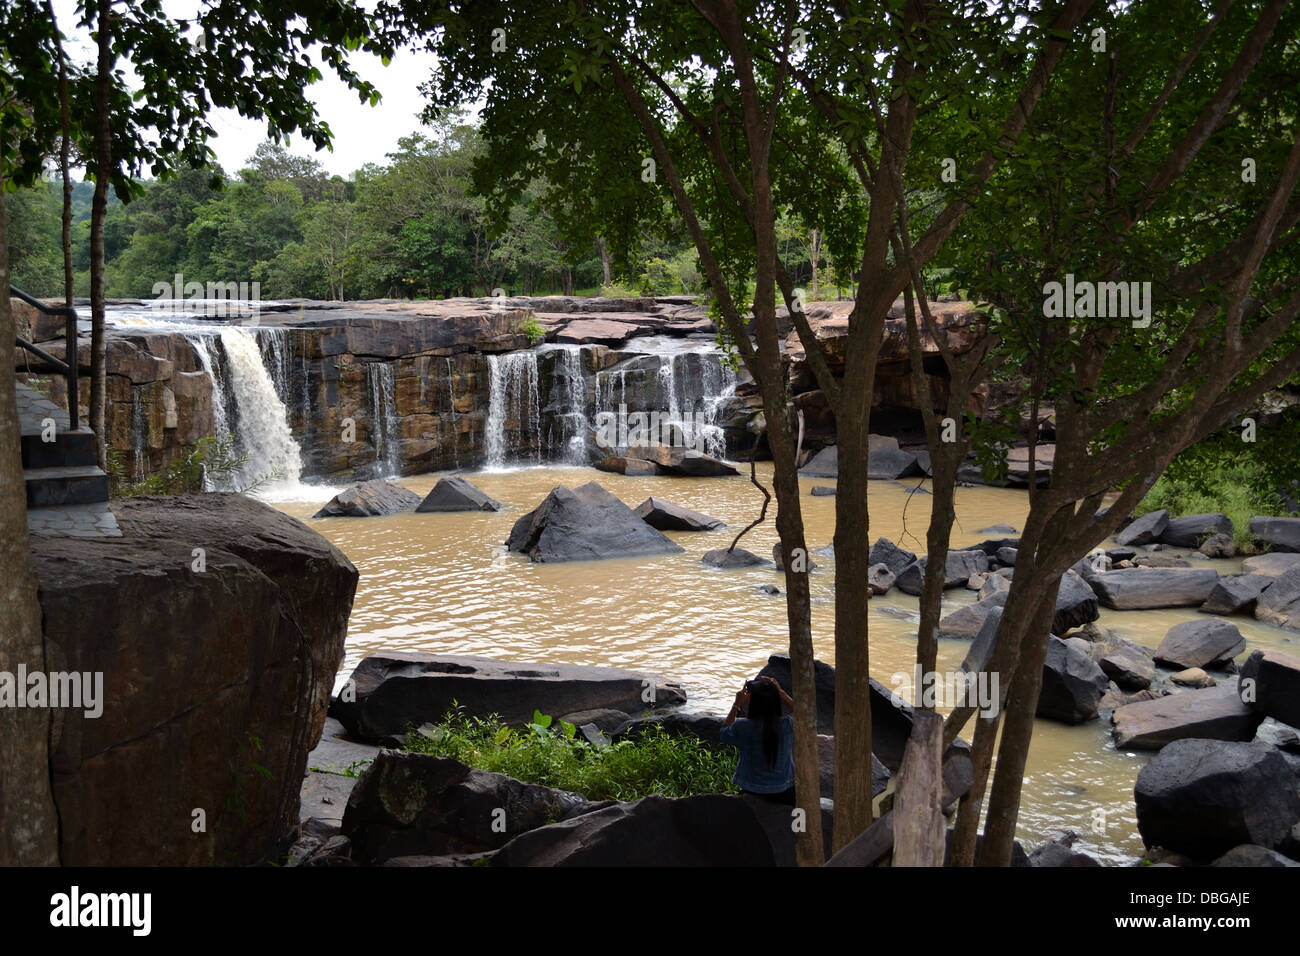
point(246, 405)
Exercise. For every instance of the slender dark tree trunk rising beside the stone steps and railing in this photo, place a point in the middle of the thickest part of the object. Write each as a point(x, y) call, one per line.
point(99, 210)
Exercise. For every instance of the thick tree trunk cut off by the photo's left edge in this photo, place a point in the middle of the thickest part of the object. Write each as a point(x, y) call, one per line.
point(31, 833)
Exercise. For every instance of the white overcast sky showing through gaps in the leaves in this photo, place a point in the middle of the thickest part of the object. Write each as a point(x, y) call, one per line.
point(362, 135)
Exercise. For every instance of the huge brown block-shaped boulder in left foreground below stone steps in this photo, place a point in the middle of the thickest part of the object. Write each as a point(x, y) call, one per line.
point(206, 674)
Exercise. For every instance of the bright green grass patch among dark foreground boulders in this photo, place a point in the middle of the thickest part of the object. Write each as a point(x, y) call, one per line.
point(657, 763)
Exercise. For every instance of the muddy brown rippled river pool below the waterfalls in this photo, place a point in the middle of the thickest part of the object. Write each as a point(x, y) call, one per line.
point(445, 583)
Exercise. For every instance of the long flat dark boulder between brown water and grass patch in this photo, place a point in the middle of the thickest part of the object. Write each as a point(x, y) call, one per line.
point(395, 690)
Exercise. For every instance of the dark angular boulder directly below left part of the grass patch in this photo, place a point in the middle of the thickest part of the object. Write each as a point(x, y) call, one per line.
point(417, 804)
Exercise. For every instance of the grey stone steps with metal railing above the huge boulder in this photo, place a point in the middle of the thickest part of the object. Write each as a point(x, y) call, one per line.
point(67, 490)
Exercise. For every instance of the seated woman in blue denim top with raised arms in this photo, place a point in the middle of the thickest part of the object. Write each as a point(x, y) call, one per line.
point(765, 741)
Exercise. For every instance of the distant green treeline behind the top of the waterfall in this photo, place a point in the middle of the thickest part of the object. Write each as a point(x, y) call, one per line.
point(413, 228)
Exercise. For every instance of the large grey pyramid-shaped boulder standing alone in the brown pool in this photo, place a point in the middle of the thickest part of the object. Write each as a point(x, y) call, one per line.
point(586, 524)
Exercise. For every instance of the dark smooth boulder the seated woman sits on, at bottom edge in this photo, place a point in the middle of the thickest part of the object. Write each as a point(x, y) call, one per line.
point(710, 830)
